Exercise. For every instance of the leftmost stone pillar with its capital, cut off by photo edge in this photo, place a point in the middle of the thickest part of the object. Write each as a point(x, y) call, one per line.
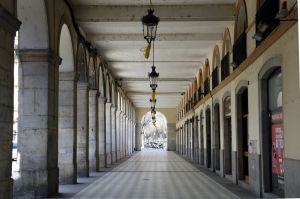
point(8, 27)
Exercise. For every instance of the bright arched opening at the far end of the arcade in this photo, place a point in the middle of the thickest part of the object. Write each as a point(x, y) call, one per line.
point(154, 137)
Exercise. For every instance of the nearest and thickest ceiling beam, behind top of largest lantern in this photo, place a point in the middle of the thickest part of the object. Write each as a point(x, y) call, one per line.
point(207, 12)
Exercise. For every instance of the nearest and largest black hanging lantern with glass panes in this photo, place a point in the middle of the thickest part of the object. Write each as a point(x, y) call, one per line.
point(150, 22)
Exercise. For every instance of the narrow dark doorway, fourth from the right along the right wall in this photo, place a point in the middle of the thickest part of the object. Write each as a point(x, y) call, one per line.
point(217, 137)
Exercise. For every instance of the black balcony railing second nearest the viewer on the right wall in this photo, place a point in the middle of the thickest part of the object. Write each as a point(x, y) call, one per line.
point(240, 49)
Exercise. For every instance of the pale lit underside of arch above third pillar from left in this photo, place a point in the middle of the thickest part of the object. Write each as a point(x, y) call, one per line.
point(65, 50)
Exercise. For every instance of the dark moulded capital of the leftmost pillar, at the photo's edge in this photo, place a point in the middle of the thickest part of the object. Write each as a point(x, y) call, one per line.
point(9, 21)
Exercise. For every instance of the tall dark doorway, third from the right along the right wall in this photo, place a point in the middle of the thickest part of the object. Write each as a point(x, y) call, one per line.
point(227, 137)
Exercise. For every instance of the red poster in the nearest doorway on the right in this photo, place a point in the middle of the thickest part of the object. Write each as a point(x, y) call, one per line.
point(277, 149)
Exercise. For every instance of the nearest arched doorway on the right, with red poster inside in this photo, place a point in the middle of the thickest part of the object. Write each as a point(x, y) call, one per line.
point(272, 132)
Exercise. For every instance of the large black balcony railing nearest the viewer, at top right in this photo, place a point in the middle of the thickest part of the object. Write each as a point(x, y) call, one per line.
point(265, 19)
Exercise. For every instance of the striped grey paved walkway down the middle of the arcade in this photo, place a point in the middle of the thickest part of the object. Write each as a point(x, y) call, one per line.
point(155, 174)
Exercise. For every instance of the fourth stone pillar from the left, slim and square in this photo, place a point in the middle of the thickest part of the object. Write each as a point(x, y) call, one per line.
point(82, 129)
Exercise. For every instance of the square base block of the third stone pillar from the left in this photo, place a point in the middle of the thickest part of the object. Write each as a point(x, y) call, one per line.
point(67, 173)
